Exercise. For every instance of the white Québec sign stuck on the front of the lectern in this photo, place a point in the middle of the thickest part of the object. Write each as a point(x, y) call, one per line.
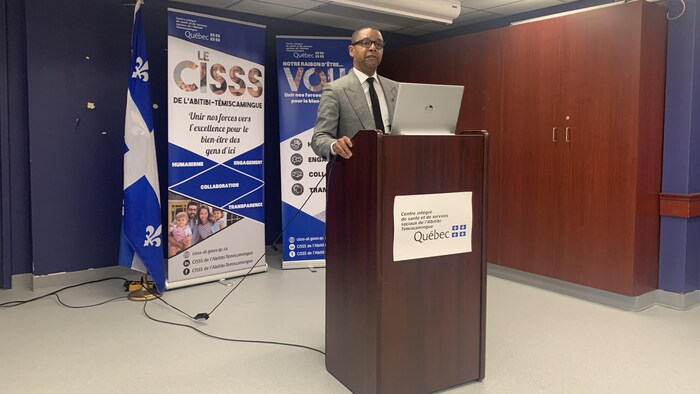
point(428, 225)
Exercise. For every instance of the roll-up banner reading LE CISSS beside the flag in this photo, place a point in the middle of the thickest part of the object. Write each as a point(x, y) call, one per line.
point(216, 132)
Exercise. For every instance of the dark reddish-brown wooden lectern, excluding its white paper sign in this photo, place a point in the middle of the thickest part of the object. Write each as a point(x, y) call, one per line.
point(411, 326)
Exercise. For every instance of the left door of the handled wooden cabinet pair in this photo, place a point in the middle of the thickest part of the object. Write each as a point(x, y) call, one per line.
point(530, 170)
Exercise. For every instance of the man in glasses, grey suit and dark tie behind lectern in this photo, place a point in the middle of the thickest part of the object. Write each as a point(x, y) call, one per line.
point(360, 100)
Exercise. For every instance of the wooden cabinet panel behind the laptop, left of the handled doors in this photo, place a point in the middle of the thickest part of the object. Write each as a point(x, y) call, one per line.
point(475, 61)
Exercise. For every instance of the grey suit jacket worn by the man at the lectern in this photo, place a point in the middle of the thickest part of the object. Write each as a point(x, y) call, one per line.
point(343, 111)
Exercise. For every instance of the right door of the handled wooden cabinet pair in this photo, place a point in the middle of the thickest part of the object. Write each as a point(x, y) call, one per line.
point(600, 64)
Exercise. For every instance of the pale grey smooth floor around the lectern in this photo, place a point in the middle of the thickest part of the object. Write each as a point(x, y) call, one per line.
point(537, 342)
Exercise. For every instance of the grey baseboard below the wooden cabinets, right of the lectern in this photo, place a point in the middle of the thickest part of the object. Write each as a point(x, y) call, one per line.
point(636, 304)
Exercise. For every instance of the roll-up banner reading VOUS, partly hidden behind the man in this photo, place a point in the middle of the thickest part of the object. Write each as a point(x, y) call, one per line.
point(305, 65)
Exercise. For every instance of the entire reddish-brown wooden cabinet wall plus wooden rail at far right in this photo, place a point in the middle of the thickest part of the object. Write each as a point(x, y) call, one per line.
point(574, 110)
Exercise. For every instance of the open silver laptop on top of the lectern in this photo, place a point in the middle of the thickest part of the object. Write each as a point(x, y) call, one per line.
point(426, 109)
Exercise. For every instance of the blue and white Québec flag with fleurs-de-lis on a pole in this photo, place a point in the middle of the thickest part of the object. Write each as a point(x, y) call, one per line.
point(141, 245)
